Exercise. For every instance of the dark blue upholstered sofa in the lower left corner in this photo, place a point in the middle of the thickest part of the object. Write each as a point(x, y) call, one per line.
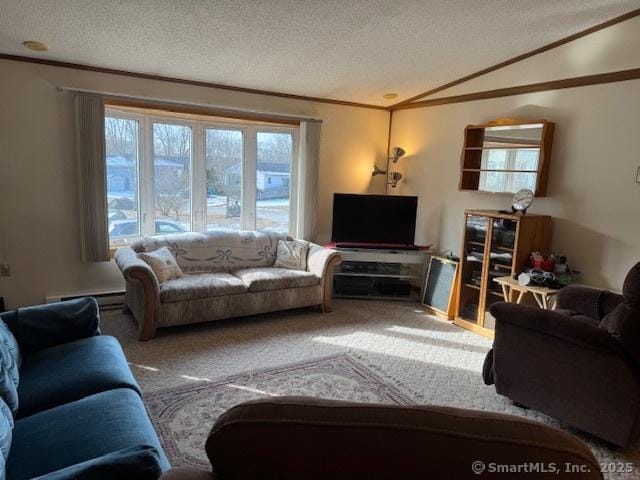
point(69, 404)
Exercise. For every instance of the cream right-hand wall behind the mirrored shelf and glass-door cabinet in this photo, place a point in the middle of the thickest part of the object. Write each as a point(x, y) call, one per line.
point(592, 193)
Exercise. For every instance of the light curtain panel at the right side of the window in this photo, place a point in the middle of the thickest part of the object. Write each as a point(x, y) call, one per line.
point(308, 171)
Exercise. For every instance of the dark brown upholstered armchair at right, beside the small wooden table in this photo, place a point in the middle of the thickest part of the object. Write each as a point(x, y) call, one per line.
point(579, 363)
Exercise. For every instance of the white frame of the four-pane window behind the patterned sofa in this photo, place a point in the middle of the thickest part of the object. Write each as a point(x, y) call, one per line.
point(198, 191)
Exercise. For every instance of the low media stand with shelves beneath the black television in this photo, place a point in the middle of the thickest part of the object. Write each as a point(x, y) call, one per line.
point(379, 273)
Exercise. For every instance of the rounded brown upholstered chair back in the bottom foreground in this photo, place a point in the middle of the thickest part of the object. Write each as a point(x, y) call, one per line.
point(296, 438)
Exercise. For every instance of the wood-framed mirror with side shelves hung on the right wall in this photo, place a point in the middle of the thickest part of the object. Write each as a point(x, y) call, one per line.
point(507, 155)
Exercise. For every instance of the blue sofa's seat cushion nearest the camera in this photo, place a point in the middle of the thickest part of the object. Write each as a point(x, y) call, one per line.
point(80, 431)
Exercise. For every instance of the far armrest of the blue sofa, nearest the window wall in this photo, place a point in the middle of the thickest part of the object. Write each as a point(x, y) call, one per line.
point(44, 326)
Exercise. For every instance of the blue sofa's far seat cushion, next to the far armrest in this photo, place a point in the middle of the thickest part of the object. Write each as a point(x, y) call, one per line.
point(72, 371)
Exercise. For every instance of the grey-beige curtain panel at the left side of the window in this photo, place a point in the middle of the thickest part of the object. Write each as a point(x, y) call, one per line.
point(92, 183)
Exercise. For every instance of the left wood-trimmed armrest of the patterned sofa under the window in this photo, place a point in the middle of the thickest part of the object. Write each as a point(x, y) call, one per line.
point(137, 271)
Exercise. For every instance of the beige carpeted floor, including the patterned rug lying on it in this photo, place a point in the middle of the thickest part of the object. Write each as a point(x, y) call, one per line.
point(382, 351)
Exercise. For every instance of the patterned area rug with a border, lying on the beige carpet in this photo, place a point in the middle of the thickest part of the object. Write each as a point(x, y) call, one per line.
point(184, 415)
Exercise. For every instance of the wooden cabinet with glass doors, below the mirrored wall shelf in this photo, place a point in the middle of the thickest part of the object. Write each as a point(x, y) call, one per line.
point(494, 245)
